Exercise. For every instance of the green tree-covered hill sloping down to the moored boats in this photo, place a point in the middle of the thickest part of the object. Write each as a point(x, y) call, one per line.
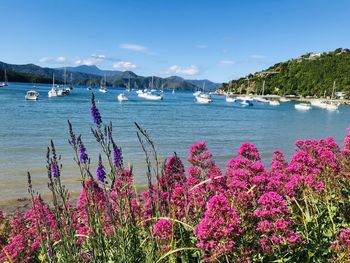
point(308, 75)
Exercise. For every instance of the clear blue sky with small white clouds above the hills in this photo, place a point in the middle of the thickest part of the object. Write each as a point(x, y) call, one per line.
point(195, 39)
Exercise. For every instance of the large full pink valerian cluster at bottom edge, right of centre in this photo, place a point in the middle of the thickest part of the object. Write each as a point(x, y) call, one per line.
point(219, 229)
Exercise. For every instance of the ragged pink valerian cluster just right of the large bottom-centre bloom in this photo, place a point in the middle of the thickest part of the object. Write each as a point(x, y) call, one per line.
point(274, 225)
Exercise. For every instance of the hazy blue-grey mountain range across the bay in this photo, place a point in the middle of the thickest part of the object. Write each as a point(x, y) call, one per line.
point(84, 75)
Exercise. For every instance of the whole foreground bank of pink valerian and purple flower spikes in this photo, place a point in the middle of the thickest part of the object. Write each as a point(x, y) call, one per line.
point(290, 212)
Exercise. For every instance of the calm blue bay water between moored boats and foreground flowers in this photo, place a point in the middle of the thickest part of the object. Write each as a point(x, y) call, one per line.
point(26, 128)
